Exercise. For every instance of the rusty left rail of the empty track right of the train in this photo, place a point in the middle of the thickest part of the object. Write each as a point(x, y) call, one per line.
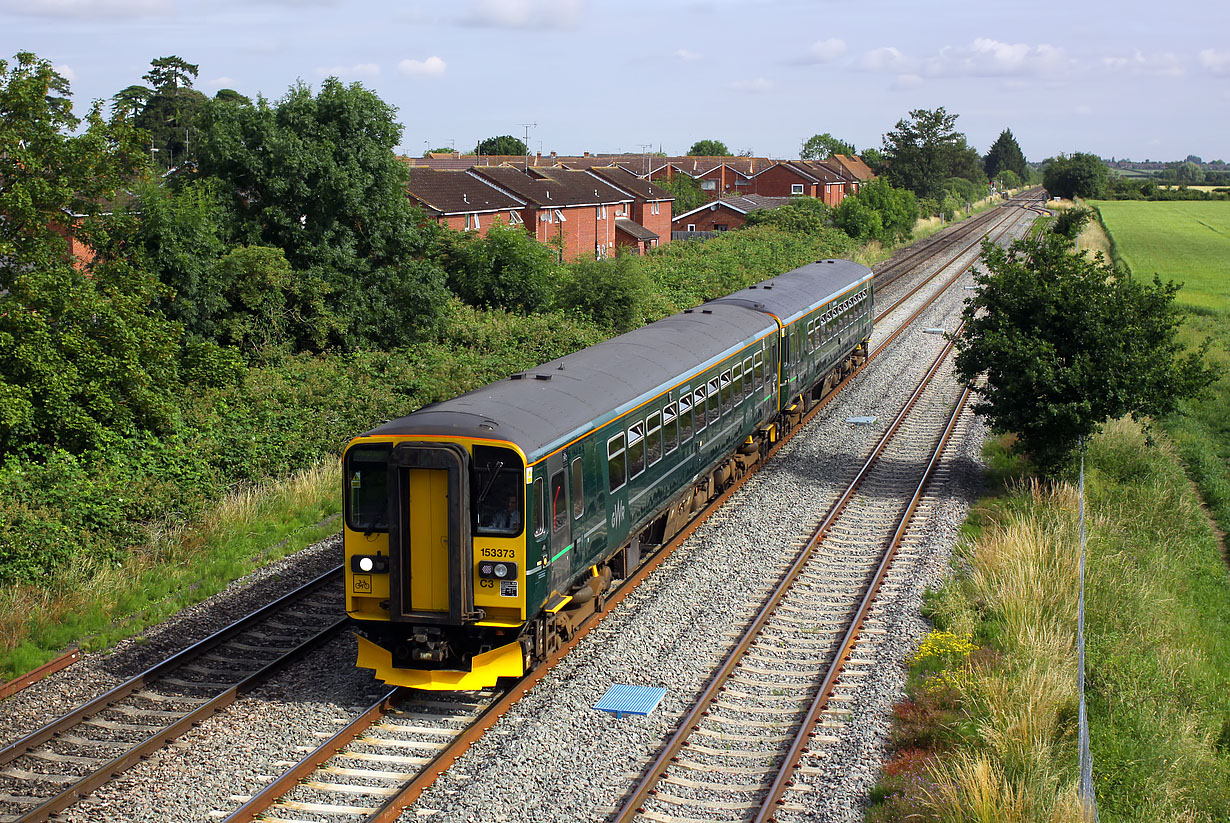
point(650, 781)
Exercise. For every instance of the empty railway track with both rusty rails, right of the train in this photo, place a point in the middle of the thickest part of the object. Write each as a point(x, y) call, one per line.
point(736, 752)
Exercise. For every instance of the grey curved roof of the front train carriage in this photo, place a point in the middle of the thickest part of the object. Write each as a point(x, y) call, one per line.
point(553, 404)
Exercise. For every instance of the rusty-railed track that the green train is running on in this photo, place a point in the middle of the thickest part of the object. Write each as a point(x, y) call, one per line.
point(344, 778)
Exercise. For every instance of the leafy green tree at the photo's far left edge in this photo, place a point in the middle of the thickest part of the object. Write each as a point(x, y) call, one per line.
point(82, 355)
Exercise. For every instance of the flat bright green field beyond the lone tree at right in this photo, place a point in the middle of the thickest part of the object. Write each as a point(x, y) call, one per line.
point(1188, 242)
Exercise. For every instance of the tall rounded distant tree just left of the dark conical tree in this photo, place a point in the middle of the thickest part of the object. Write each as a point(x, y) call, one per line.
point(922, 151)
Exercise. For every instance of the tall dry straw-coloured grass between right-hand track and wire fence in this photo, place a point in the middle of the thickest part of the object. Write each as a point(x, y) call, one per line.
point(1024, 575)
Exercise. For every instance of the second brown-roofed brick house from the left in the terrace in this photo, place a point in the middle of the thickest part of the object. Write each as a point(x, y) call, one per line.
point(571, 209)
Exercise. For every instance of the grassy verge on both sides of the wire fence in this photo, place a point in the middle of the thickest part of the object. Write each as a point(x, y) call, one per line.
point(991, 735)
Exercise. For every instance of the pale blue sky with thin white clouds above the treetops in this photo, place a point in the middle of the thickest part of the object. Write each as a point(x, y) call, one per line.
point(1116, 78)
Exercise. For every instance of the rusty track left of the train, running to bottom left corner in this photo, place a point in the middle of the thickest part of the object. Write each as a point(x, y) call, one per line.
point(51, 769)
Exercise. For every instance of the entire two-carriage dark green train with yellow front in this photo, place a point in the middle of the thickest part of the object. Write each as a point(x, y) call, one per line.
point(480, 532)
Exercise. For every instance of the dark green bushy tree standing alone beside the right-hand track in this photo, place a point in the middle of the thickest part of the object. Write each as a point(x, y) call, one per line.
point(1067, 343)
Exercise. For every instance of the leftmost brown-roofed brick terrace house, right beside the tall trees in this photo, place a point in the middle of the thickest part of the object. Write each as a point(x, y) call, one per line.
point(459, 201)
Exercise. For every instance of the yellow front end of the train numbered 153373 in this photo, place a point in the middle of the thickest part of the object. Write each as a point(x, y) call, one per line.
point(436, 560)
